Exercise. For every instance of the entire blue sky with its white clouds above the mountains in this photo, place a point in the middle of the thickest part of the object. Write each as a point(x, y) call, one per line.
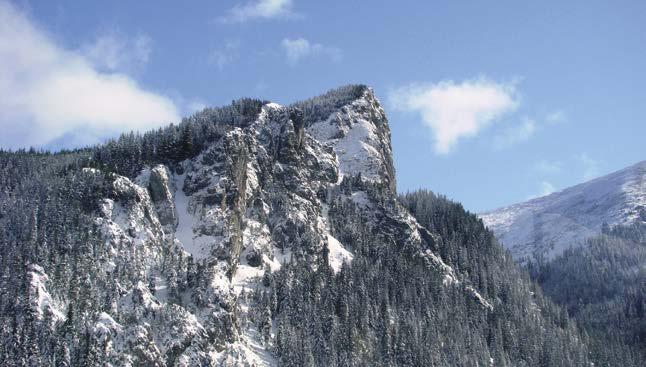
point(489, 103)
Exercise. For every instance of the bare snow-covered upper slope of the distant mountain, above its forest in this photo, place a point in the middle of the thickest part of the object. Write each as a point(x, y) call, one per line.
point(548, 225)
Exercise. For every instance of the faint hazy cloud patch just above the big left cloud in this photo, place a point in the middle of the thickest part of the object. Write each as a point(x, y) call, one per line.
point(113, 51)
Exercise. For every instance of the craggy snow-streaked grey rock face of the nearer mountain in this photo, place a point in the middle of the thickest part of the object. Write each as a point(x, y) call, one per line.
point(247, 203)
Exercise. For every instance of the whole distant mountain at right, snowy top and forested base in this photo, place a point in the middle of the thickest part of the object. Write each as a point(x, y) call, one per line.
point(586, 247)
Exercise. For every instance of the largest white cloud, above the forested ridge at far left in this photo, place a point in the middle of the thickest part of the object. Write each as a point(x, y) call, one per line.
point(47, 92)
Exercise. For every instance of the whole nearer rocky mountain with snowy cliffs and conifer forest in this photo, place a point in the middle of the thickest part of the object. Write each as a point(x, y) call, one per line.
point(257, 234)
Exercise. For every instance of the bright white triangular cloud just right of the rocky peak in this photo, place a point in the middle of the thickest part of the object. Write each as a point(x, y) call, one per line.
point(456, 110)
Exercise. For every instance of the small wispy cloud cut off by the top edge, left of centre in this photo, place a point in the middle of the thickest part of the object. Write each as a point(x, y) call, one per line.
point(260, 9)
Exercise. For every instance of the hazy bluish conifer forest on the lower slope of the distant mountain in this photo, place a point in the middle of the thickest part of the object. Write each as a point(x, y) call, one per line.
point(602, 284)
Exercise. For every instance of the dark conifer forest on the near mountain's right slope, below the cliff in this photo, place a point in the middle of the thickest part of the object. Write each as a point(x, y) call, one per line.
point(390, 309)
